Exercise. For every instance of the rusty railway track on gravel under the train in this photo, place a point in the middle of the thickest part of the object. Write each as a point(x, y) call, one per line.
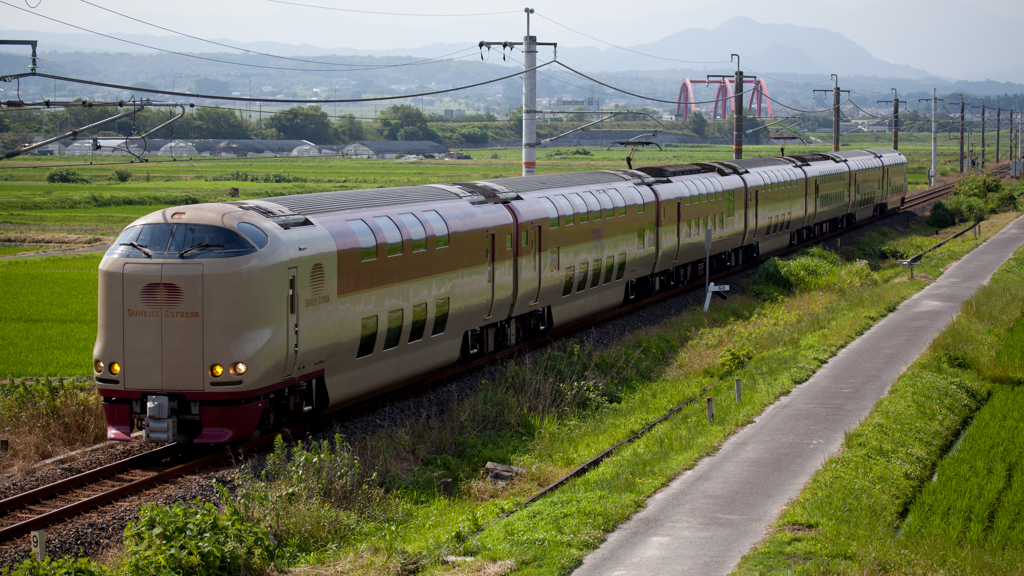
point(67, 499)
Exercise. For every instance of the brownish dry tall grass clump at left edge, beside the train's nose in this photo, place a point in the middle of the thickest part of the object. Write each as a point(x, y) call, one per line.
point(47, 419)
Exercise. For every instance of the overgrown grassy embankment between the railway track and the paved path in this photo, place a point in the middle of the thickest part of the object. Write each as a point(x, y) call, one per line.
point(381, 509)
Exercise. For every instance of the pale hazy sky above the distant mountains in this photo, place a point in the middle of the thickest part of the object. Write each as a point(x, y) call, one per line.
point(946, 37)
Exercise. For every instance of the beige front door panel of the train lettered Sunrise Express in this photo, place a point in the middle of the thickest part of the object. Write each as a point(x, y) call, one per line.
point(163, 326)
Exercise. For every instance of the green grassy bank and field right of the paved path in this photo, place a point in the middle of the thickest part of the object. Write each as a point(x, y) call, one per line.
point(930, 483)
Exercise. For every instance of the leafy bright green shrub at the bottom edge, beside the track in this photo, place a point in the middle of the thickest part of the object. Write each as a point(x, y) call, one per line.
point(195, 540)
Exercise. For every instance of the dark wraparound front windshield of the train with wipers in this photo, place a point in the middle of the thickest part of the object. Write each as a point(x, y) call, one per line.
point(180, 241)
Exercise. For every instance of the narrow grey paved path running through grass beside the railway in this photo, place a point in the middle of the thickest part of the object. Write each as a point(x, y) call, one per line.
point(710, 516)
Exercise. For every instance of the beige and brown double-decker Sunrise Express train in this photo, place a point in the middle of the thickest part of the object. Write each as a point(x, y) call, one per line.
point(219, 322)
